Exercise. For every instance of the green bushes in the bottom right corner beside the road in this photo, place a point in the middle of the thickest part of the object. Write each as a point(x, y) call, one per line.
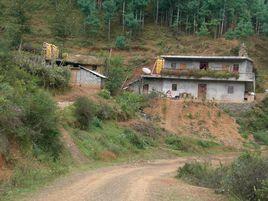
point(246, 178)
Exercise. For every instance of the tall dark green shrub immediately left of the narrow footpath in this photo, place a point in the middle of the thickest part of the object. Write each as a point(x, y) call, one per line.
point(41, 119)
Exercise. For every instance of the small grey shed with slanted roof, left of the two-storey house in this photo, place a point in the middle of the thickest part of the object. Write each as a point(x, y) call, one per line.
point(86, 77)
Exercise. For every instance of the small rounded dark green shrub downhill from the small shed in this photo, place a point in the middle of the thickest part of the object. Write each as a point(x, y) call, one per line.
point(85, 111)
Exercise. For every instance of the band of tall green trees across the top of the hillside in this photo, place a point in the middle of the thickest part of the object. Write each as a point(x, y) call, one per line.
point(231, 19)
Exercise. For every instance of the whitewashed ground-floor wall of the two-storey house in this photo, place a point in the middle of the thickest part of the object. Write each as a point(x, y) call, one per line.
point(215, 90)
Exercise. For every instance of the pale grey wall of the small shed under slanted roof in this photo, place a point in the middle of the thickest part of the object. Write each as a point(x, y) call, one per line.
point(86, 78)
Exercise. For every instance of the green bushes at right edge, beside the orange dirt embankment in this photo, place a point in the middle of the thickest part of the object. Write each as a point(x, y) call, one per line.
point(256, 122)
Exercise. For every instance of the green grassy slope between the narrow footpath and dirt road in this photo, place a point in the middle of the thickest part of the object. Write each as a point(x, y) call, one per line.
point(110, 140)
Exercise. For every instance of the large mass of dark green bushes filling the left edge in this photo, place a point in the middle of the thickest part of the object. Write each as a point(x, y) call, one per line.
point(30, 117)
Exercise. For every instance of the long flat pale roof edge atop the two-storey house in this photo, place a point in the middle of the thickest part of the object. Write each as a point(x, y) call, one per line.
point(211, 58)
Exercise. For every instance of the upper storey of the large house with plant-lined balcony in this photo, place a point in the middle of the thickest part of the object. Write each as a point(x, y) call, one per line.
point(225, 67)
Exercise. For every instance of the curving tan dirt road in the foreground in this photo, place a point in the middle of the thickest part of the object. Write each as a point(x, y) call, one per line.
point(153, 181)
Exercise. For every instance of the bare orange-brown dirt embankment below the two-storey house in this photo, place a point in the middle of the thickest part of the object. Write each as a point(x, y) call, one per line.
point(196, 119)
